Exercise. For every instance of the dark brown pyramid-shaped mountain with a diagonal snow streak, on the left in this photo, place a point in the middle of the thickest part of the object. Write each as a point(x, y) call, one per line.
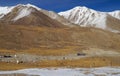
point(28, 15)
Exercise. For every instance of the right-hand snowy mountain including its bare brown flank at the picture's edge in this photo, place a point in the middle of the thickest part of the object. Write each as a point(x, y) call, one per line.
point(84, 16)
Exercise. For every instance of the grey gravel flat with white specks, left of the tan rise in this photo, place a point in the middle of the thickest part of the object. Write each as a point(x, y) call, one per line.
point(34, 58)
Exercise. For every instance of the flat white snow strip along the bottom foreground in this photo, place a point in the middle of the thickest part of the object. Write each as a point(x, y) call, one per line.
point(104, 71)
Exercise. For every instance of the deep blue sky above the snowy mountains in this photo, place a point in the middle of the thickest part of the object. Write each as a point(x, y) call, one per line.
point(62, 5)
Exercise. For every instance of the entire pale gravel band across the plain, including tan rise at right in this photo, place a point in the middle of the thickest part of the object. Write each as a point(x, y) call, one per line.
point(22, 58)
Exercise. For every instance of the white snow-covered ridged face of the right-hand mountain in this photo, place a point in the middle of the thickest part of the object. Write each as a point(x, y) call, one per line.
point(85, 17)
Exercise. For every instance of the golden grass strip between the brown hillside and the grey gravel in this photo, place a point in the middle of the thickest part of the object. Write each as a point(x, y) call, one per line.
point(45, 51)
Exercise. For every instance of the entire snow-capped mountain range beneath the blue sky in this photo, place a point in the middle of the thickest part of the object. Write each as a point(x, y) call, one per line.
point(32, 15)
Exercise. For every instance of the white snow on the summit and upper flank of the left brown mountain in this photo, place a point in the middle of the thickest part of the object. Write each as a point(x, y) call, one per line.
point(24, 10)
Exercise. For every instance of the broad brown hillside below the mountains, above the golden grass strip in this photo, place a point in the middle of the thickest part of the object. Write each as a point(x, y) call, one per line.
point(23, 37)
